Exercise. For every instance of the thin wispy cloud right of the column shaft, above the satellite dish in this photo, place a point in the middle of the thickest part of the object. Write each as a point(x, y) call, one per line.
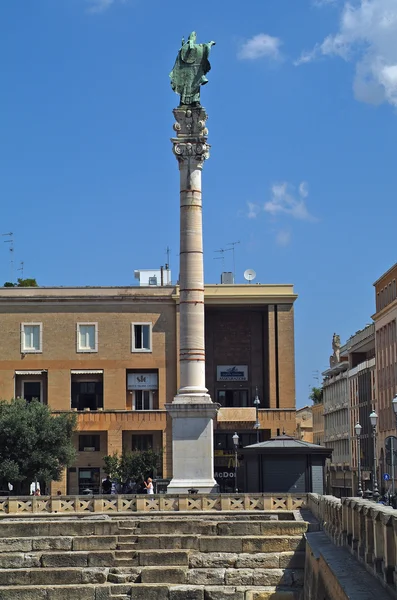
point(285, 201)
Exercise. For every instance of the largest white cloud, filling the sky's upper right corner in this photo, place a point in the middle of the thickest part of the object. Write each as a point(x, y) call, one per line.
point(367, 36)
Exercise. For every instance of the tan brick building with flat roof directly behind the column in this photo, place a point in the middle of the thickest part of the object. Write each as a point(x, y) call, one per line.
point(110, 355)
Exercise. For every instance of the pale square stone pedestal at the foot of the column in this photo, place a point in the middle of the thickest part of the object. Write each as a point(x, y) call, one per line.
point(192, 444)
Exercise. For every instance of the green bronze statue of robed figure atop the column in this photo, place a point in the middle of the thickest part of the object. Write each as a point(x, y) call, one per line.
point(190, 69)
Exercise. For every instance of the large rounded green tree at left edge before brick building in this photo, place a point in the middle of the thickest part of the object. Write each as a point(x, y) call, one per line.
point(34, 444)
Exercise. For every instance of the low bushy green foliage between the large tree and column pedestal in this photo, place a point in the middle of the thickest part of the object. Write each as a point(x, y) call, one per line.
point(132, 466)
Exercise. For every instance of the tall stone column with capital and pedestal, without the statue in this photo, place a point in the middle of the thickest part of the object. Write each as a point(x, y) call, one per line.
point(192, 410)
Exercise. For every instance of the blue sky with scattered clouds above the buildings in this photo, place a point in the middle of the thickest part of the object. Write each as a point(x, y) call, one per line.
point(302, 121)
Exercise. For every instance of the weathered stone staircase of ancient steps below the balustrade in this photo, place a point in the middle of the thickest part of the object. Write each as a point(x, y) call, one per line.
point(237, 556)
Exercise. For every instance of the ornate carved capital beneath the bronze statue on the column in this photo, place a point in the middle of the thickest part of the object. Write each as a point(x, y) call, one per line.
point(191, 134)
